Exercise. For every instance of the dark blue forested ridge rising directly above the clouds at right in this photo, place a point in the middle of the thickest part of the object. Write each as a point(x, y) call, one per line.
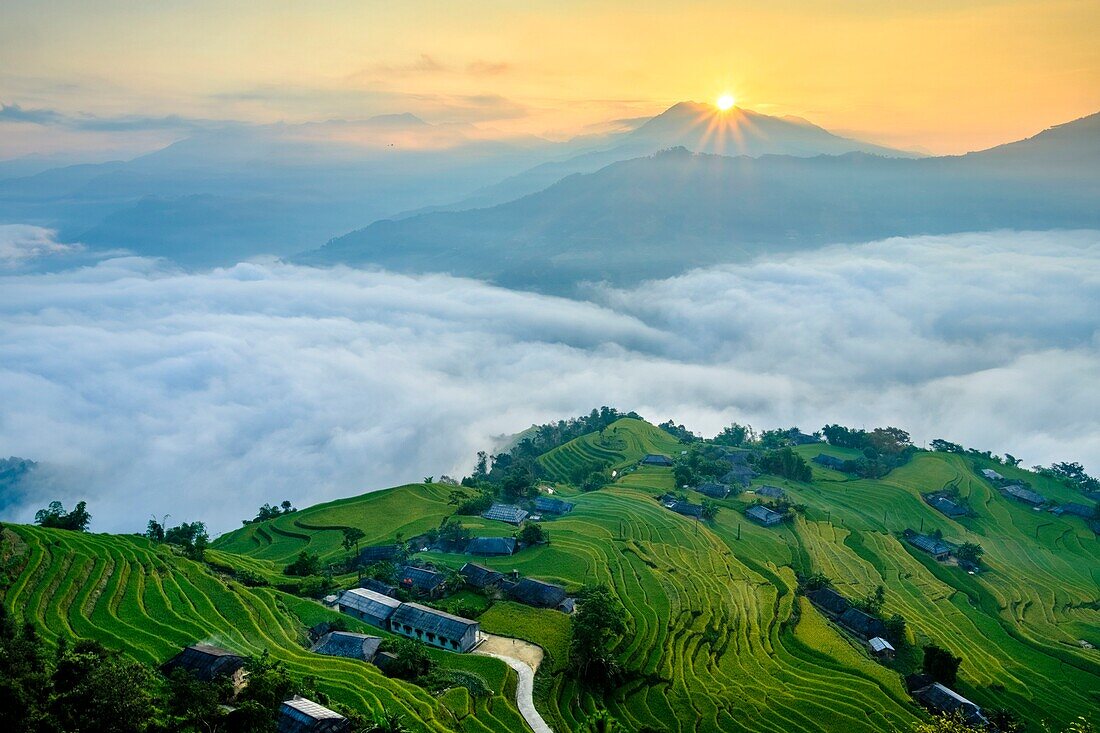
point(659, 215)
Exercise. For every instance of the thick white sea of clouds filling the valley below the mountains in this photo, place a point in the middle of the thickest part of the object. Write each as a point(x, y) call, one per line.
point(147, 390)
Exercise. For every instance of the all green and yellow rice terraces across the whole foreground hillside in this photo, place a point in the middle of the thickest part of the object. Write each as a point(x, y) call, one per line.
point(720, 633)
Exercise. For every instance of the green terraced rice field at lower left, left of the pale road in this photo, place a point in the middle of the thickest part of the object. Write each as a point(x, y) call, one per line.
point(145, 600)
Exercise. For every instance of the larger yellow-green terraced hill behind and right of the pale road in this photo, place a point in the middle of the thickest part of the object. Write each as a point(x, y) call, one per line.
point(720, 638)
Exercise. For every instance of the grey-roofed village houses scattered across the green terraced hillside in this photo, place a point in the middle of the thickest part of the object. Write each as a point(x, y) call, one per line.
point(402, 607)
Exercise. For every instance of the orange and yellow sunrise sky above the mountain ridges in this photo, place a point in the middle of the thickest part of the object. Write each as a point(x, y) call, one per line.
point(942, 75)
